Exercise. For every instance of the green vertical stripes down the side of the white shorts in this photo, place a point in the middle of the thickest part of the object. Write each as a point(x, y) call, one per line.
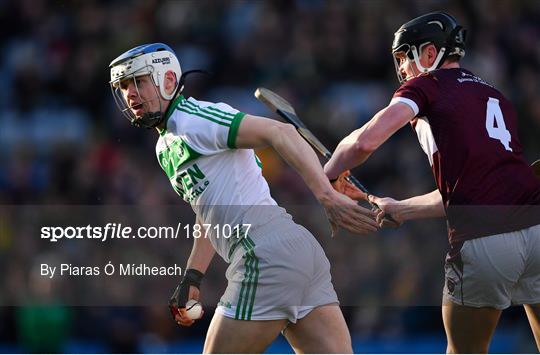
point(246, 299)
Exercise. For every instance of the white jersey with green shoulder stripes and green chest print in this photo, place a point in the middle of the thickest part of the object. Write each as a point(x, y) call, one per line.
point(224, 185)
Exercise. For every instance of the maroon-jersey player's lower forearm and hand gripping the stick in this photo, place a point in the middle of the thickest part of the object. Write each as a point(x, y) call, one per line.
point(429, 205)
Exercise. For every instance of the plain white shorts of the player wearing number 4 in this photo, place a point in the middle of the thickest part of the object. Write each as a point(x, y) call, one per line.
point(496, 271)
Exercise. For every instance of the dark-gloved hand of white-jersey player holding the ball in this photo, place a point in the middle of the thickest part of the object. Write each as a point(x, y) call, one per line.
point(188, 289)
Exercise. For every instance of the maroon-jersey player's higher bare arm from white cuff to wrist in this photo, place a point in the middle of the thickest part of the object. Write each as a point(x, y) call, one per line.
point(356, 148)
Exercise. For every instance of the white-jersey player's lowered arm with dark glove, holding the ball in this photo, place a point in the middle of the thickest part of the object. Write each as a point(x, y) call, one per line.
point(189, 288)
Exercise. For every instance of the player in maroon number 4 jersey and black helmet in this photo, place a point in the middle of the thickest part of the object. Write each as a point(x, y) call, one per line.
point(485, 188)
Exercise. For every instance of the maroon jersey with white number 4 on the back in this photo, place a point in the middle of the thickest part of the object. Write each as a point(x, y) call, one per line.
point(468, 129)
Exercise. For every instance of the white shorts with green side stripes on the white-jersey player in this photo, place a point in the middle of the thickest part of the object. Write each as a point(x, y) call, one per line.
point(279, 271)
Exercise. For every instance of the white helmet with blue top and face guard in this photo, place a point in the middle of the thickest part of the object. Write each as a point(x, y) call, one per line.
point(153, 59)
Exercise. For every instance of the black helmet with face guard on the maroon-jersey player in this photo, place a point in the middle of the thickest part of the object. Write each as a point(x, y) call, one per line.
point(438, 28)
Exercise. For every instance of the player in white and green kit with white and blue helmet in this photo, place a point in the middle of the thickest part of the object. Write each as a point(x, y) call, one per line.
point(278, 278)
